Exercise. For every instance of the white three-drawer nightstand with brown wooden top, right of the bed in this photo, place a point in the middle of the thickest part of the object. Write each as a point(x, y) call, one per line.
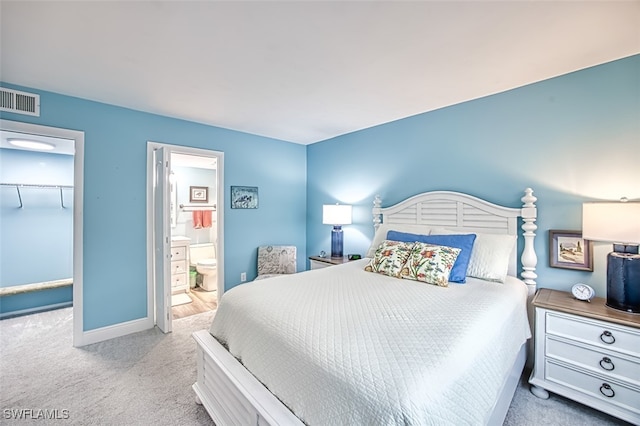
point(587, 352)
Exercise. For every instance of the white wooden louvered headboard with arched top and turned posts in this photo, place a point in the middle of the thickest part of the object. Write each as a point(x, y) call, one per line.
point(466, 213)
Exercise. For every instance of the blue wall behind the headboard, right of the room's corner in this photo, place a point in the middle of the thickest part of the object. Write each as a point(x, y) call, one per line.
point(572, 138)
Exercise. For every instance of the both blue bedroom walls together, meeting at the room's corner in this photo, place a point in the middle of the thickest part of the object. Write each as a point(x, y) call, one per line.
point(572, 138)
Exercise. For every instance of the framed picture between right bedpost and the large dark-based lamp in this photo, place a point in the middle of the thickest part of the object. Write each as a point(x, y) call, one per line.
point(568, 250)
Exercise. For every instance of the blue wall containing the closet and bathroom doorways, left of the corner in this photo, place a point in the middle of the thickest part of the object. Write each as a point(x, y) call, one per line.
point(114, 238)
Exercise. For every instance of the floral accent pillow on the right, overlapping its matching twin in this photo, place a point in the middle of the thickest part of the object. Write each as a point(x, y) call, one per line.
point(430, 264)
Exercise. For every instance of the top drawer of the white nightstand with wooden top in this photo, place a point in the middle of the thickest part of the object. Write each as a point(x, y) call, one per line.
point(601, 334)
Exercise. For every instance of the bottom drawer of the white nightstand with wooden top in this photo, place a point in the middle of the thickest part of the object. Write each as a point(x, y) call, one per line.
point(605, 390)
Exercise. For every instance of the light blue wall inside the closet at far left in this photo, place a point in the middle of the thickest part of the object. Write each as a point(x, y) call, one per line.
point(36, 243)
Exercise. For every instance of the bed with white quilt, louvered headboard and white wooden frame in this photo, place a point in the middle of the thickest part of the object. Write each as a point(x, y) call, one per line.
point(347, 345)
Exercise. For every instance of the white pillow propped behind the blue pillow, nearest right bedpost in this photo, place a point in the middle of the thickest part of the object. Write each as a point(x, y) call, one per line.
point(490, 255)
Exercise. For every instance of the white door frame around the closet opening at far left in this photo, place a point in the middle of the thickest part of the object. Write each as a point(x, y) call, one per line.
point(78, 203)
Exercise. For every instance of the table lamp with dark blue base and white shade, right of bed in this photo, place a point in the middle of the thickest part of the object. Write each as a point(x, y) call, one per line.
point(618, 223)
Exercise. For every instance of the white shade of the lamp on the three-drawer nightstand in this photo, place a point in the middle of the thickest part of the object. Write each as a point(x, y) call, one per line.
point(616, 222)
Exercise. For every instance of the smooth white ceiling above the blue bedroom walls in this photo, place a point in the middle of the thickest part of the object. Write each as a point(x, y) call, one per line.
point(304, 71)
